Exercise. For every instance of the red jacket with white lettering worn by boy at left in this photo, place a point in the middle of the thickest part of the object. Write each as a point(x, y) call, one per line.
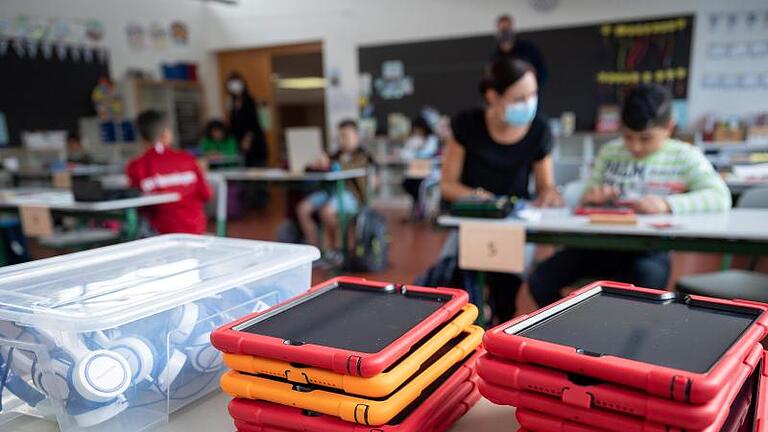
point(162, 169)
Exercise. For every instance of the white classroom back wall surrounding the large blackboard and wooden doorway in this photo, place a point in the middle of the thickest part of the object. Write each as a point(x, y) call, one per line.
point(343, 25)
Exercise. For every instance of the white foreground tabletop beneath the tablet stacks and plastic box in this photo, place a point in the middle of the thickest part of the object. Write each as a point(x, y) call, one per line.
point(210, 415)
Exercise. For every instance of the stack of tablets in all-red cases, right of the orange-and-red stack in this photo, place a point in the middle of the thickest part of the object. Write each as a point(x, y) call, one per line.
point(613, 357)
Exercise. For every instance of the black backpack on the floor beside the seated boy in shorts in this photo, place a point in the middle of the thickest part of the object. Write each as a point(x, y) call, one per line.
point(371, 250)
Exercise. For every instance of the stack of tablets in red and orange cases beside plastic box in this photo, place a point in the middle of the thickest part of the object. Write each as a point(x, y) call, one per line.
point(354, 355)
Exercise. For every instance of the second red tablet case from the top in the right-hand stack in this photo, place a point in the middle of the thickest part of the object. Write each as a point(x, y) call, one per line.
point(609, 396)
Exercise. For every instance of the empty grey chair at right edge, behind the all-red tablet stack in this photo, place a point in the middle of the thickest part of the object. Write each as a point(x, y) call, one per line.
point(741, 284)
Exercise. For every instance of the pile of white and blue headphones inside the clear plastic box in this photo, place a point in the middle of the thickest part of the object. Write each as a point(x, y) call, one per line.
point(90, 374)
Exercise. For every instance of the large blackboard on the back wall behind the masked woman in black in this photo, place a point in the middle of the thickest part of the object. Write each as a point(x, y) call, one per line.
point(446, 72)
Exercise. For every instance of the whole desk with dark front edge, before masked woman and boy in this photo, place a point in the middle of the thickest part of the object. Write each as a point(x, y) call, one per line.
point(739, 231)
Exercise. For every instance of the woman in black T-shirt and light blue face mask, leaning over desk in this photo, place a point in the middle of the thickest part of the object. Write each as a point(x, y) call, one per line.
point(493, 152)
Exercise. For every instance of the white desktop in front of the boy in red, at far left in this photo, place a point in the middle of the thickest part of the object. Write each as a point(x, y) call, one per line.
point(64, 200)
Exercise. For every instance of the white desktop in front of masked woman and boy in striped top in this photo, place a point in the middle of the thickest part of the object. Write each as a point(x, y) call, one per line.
point(737, 224)
